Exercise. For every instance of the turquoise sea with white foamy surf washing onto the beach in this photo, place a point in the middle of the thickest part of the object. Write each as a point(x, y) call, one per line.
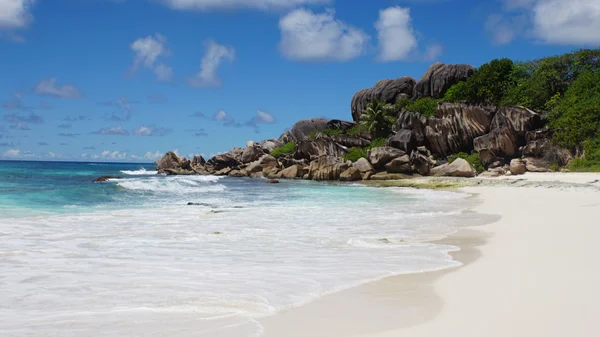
point(129, 257)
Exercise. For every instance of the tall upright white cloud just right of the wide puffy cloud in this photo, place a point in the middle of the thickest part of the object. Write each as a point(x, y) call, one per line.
point(397, 38)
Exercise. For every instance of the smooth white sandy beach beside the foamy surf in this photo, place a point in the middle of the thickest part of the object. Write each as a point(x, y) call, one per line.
point(532, 273)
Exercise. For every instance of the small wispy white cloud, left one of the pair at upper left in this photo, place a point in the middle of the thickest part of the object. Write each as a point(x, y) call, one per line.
point(148, 50)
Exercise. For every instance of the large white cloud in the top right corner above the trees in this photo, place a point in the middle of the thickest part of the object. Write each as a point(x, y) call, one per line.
point(557, 22)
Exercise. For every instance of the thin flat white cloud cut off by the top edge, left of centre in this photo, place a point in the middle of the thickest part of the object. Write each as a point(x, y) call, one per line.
point(252, 4)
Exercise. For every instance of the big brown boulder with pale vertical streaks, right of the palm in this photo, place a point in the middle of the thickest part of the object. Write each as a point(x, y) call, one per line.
point(455, 127)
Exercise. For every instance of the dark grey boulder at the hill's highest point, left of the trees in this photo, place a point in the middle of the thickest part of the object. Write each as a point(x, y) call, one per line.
point(439, 78)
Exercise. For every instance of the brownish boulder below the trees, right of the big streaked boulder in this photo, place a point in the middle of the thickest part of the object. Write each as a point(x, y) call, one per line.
point(499, 143)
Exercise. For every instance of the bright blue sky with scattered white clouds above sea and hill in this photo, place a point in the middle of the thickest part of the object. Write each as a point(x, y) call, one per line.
point(131, 79)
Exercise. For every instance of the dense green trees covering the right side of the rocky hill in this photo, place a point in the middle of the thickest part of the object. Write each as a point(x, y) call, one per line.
point(566, 87)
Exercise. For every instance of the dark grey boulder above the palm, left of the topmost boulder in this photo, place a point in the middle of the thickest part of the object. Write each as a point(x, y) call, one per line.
point(387, 91)
